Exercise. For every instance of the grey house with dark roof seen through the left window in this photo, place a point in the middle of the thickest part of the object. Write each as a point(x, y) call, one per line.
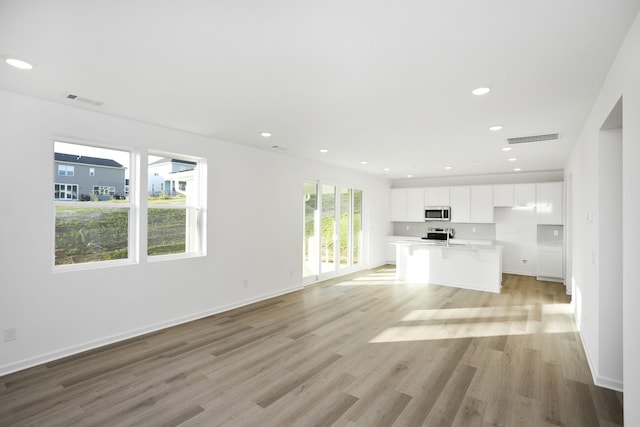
point(86, 178)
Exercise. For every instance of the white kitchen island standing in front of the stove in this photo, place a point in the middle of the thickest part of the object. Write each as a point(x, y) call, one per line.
point(469, 266)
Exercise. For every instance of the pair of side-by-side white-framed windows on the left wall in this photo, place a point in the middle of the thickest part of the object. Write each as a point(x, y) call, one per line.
point(98, 222)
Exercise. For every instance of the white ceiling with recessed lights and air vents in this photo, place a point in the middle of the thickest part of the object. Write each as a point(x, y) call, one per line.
point(386, 81)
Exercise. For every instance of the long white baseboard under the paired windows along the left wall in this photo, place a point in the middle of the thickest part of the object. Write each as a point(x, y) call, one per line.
point(69, 351)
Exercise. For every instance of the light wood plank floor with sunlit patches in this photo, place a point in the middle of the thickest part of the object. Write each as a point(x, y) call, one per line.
point(359, 351)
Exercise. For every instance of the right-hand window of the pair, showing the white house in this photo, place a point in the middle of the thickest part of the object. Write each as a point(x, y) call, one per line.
point(174, 213)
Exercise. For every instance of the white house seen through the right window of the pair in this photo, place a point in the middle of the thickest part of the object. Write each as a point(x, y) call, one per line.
point(170, 176)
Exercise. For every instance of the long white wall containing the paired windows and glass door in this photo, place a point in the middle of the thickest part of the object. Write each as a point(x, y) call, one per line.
point(254, 233)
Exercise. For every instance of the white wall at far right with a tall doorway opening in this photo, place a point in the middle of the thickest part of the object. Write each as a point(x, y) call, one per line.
point(622, 81)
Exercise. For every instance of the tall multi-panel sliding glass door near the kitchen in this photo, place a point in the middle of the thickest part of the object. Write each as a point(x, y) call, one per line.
point(332, 230)
